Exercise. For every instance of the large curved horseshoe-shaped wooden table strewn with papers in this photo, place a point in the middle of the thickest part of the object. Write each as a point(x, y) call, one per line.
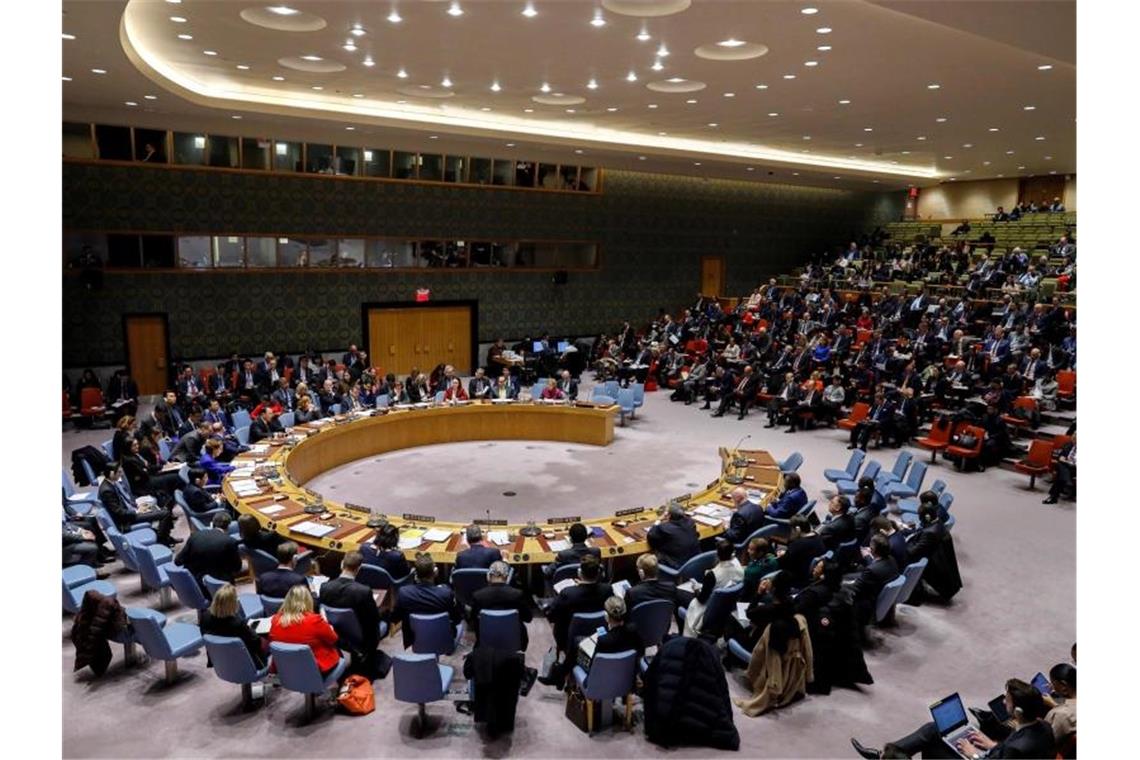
point(274, 492)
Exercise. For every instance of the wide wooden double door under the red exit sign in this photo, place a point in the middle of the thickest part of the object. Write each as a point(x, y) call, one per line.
point(403, 338)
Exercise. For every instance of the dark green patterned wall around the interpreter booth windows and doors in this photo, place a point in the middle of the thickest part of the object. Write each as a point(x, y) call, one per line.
point(653, 231)
